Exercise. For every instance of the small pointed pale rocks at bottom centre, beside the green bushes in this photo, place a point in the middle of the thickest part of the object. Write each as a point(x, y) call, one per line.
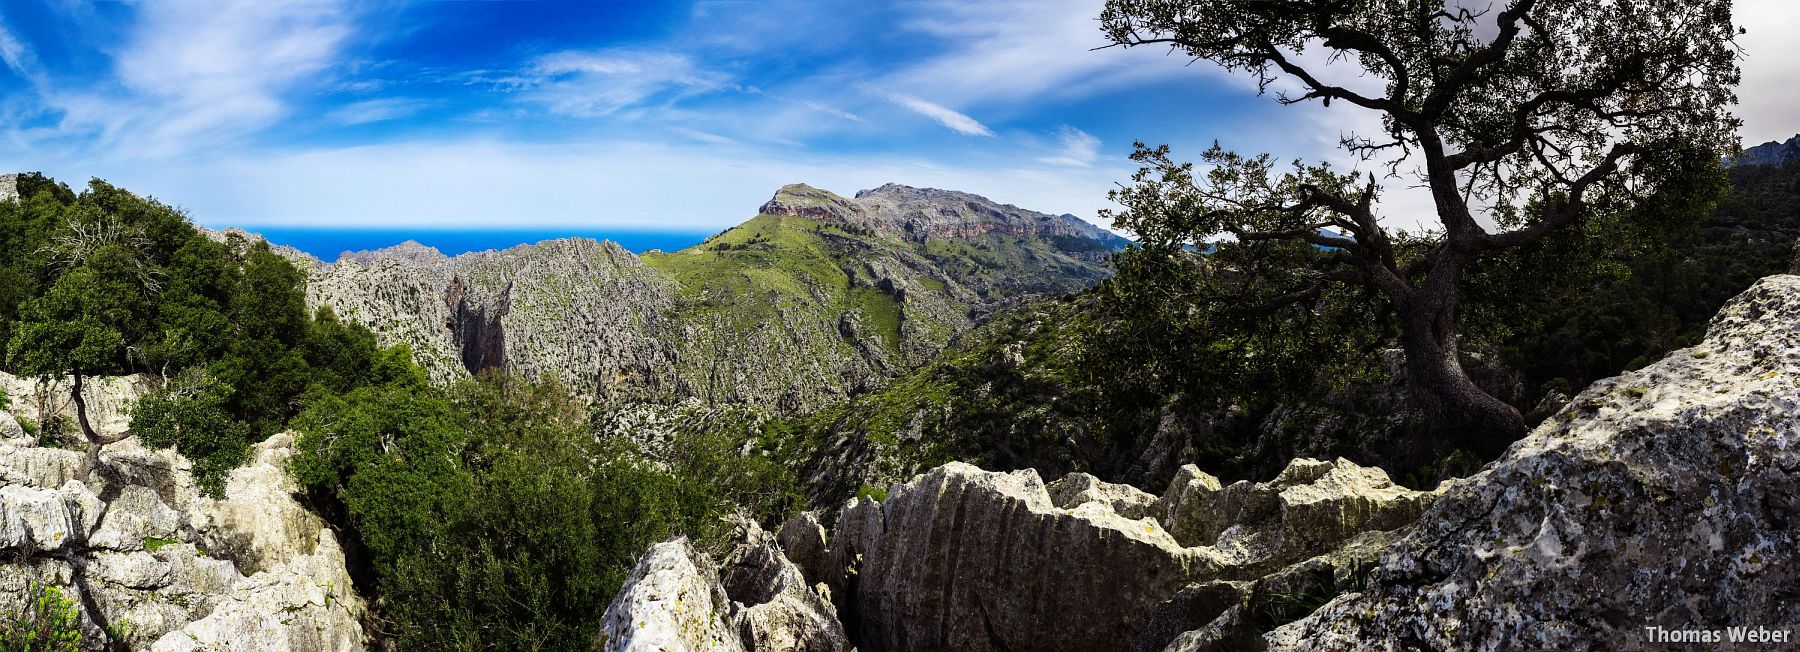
point(757, 601)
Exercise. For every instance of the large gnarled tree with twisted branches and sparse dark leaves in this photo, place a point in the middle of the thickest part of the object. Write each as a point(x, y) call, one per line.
point(1520, 123)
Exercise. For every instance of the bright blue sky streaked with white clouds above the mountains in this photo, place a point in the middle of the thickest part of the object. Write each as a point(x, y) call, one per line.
point(633, 114)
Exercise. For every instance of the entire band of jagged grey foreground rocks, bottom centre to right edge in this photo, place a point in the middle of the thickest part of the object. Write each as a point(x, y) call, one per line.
point(1660, 500)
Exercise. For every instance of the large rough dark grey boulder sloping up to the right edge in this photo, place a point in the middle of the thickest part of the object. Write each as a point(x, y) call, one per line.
point(1657, 500)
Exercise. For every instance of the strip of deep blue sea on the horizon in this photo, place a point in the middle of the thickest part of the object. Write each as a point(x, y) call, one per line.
point(327, 244)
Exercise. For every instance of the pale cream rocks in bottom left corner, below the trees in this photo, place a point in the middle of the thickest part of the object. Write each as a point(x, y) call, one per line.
point(165, 568)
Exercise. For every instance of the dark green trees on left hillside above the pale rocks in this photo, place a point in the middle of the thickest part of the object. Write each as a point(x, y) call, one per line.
point(111, 284)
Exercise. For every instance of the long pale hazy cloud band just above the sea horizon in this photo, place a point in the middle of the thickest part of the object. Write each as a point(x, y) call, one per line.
point(660, 183)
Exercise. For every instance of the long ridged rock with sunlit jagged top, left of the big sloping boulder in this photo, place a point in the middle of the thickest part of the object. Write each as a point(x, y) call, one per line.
point(962, 559)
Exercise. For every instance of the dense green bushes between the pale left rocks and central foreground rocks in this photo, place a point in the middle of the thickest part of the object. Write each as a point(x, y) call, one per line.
point(492, 516)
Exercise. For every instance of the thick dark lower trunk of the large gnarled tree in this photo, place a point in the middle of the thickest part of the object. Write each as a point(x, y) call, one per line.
point(1437, 383)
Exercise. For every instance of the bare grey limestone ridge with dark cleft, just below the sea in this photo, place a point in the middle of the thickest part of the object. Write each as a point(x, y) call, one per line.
point(586, 311)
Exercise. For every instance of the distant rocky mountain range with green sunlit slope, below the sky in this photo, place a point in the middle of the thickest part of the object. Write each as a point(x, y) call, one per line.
point(813, 300)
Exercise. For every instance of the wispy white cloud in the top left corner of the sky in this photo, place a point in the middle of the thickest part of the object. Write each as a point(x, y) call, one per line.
point(188, 77)
